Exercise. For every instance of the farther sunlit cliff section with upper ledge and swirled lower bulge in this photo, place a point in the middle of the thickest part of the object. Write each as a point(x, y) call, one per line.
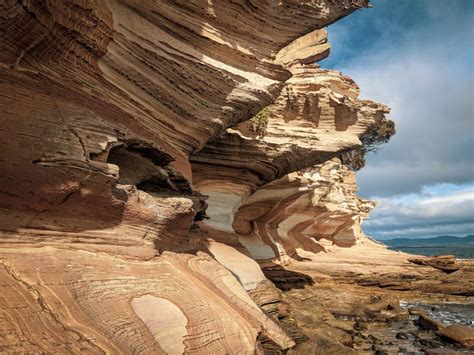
point(316, 118)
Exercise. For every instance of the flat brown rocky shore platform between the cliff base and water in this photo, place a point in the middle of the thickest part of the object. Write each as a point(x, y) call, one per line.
point(360, 303)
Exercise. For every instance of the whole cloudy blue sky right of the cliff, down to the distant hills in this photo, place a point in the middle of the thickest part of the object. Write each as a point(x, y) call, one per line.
point(417, 57)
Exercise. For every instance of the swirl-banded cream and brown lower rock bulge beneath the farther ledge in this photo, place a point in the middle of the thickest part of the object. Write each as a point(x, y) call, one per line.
point(312, 209)
